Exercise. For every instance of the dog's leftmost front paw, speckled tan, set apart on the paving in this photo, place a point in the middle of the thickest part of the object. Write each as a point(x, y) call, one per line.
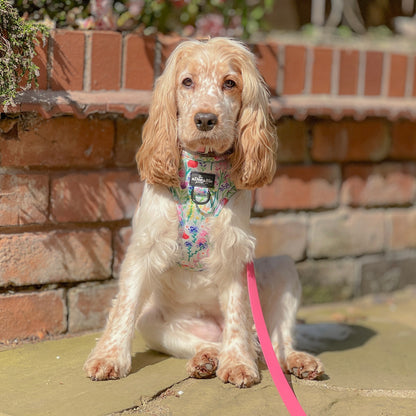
point(106, 368)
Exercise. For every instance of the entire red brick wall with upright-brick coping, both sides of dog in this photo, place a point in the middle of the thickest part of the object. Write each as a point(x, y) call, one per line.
point(342, 203)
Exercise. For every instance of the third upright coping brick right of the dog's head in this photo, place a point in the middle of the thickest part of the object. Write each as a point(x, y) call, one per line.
point(321, 70)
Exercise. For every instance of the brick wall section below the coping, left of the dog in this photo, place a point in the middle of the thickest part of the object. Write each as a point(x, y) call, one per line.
point(68, 189)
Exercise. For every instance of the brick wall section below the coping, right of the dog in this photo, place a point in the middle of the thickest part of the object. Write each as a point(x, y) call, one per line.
point(342, 205)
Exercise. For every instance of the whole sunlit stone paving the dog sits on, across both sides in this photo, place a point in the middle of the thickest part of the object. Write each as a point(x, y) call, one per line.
point(368, 349)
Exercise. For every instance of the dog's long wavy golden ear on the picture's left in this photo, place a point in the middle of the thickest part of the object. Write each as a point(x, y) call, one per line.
point(158, 157)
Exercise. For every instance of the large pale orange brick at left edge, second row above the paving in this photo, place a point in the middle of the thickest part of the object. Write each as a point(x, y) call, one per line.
point(57, 256)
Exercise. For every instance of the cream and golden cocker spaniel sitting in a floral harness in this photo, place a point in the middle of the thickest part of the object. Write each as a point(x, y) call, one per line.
point(208, 141)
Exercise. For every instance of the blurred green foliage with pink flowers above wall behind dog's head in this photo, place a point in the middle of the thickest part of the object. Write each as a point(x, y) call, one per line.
point(185, 17)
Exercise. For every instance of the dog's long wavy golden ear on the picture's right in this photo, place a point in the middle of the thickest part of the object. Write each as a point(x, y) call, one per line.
point(254, 157)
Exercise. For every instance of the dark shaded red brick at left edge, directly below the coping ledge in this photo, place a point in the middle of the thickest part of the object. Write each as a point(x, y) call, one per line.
point(60, 142)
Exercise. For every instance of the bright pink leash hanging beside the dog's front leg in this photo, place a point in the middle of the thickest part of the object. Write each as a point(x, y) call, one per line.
point(286, 393)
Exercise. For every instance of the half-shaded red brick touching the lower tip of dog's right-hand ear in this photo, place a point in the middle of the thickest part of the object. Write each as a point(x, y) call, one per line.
point(301, 187)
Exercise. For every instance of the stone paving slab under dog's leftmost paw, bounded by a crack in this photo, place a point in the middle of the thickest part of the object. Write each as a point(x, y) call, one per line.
point(47, 379)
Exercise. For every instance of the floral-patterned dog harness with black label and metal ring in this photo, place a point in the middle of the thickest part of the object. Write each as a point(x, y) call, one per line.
point(205, 188)
